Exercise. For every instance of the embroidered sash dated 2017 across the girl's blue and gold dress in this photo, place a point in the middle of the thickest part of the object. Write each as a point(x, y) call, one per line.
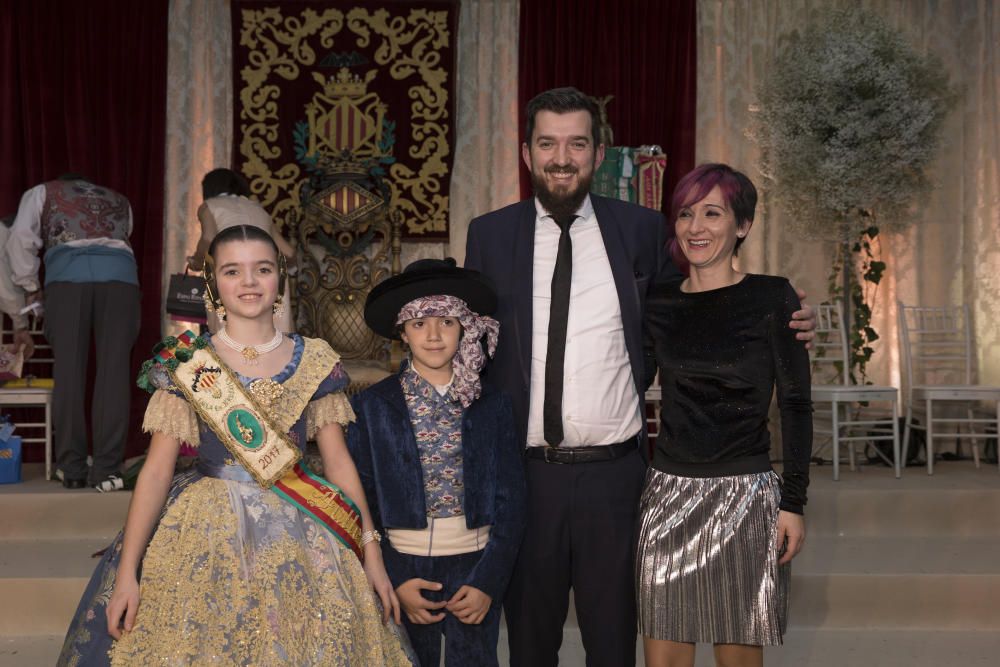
point(250, 435)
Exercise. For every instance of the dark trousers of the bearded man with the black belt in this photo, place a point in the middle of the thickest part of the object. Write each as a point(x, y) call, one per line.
point(580, 536)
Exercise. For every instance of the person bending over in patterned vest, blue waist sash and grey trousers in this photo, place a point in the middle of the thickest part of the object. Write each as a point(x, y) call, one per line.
point(91, 290)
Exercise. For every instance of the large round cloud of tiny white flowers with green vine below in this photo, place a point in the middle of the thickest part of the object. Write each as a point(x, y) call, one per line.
point(849, 119)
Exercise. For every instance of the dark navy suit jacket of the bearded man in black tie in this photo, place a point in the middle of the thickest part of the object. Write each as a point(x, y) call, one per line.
point(501, 245)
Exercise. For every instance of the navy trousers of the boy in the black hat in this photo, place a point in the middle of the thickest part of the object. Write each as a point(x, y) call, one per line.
point(464, 644)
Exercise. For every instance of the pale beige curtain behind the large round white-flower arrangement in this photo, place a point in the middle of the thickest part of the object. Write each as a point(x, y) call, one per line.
point(951, 254)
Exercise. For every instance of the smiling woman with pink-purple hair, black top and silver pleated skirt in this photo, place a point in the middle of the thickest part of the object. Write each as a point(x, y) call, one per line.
point(717, 527)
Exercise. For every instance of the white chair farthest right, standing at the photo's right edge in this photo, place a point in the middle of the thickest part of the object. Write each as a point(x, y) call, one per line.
point(937, 359)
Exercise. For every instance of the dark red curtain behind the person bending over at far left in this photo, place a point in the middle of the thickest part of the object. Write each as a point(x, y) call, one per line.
point(83, 89)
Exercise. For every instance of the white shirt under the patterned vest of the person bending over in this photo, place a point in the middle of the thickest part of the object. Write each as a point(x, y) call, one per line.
point(26, 239)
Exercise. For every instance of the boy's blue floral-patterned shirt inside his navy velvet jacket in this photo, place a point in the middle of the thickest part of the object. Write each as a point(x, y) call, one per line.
point(437, 426)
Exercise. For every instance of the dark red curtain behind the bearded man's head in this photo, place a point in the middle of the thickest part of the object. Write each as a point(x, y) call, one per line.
point(641, 51)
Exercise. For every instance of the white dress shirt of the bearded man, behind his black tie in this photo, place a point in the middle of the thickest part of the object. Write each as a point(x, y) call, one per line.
point(600, 403)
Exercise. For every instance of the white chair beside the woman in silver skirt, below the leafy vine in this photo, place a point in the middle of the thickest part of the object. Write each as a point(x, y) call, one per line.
point(846, 415)
